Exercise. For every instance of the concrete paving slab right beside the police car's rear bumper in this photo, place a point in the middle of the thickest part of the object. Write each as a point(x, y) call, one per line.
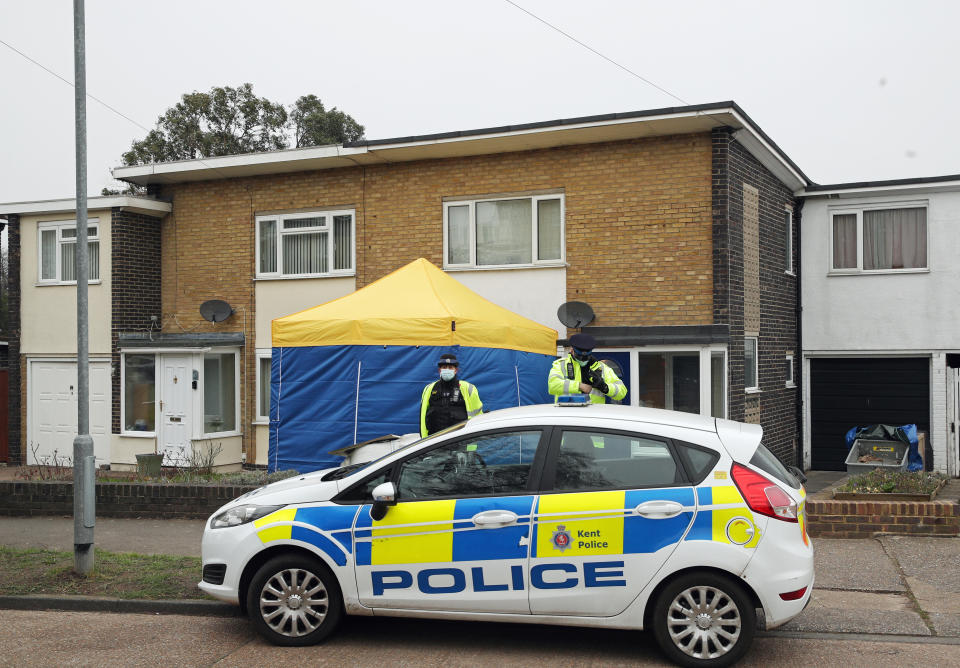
point(855, 564)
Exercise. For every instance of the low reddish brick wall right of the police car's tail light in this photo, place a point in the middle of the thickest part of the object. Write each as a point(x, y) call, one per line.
point(830, 518)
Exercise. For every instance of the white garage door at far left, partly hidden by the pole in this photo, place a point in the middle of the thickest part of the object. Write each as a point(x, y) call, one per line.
point(52, 407)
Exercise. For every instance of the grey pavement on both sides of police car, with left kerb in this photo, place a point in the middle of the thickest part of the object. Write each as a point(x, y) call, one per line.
point(888, 586)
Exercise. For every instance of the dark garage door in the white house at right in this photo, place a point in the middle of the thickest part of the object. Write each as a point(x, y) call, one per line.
point(852, 392)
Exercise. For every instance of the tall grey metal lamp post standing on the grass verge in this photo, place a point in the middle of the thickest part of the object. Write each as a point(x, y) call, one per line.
point(84, 489)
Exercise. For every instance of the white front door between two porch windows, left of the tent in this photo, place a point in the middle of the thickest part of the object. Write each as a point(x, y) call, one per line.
point(175, 413)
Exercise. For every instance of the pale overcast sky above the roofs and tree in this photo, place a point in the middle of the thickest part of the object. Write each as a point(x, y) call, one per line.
point(851, 91)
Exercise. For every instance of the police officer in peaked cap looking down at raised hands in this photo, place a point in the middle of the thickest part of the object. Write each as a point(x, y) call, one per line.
point(581, 373)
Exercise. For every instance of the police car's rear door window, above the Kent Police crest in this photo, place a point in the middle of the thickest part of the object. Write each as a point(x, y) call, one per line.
point(599, 460)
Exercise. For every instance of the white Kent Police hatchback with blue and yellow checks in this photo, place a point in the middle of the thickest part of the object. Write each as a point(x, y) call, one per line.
point(600, 515)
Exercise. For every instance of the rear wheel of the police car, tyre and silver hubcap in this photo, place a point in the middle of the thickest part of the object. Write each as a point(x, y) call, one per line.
point(704, 619)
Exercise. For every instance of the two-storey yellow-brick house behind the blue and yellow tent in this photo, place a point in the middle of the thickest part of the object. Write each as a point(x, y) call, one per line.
point(675, 225)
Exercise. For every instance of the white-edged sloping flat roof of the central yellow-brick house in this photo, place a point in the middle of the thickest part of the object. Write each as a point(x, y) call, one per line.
point(483, 141)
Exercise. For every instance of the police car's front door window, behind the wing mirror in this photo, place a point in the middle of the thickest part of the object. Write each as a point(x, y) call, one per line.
point(496, 463)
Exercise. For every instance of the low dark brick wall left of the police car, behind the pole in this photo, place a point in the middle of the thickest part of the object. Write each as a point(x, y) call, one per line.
point(118, 499)
